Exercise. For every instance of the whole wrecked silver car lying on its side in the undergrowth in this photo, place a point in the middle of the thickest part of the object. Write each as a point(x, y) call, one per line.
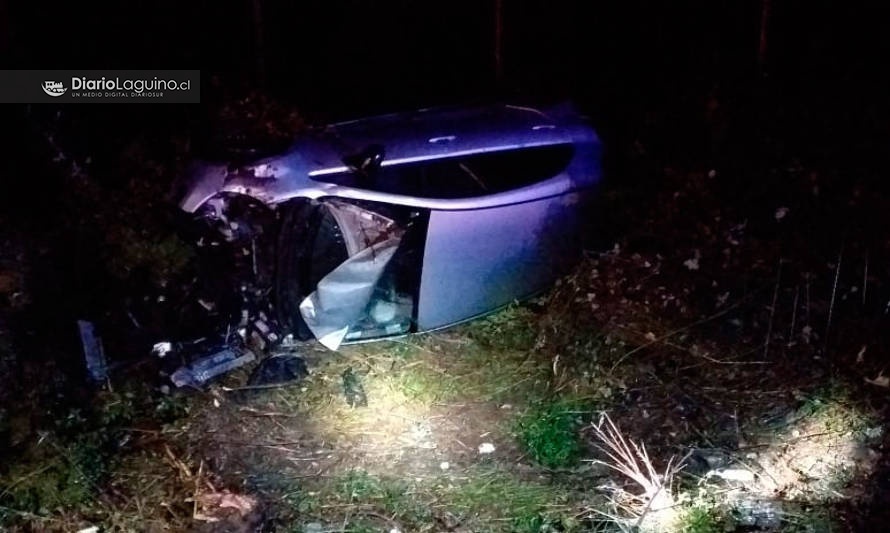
point(396, 224)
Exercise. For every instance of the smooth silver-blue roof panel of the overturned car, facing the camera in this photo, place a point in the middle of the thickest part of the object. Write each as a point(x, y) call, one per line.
point(478, 260)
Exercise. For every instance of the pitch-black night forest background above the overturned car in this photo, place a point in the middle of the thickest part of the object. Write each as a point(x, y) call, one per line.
point(678, 65)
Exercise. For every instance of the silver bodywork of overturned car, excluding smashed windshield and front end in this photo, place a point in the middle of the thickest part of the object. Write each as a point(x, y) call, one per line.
point(482, 249)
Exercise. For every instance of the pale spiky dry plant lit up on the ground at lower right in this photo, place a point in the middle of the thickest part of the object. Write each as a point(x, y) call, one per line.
point(632, 461)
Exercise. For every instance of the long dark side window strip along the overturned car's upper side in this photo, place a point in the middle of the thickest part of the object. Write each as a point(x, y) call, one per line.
point(463, 177)
